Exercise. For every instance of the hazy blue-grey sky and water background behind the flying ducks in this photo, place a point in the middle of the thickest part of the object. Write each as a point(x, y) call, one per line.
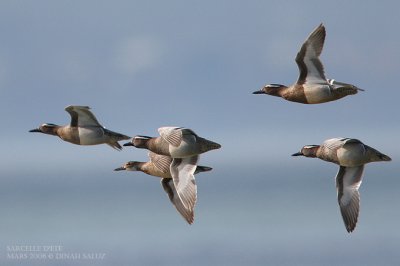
point(145, 64)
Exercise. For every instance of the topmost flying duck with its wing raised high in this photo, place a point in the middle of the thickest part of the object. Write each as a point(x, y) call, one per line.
point(312, 87)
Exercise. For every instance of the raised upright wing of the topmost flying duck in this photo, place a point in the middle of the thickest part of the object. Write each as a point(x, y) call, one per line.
point(307, 59)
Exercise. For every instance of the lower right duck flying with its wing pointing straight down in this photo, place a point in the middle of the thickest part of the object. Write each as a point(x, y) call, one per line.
point(351, 155)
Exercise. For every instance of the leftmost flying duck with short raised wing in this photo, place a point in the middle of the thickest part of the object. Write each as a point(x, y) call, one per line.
point(84, 129)
